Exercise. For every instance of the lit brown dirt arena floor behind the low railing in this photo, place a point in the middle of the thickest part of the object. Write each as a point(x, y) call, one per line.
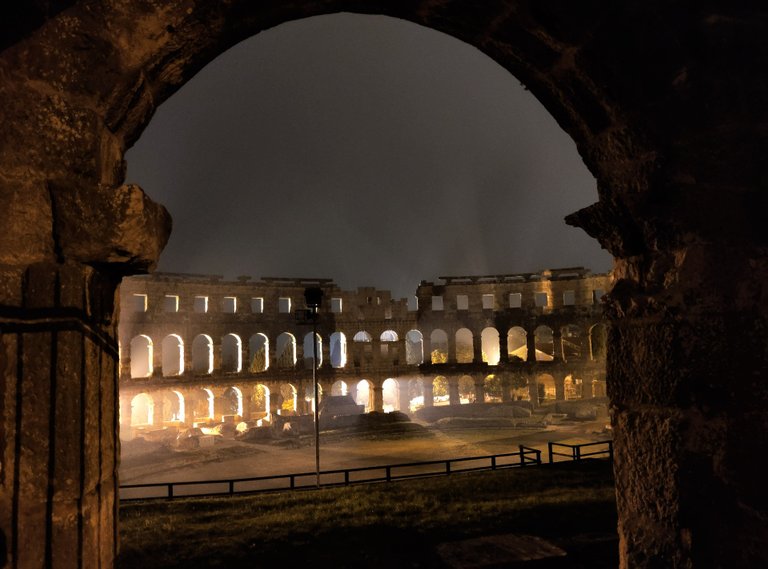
point(145, 461)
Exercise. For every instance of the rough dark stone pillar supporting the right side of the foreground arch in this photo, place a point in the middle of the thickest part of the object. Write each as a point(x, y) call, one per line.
point(688, 380)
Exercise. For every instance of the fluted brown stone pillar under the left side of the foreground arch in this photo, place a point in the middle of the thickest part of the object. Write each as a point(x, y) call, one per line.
point(59, 416)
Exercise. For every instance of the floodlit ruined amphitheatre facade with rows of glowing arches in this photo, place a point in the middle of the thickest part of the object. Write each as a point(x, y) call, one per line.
point(195, 348)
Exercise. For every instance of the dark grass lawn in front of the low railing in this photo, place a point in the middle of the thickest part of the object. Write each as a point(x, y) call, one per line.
point(379, 525)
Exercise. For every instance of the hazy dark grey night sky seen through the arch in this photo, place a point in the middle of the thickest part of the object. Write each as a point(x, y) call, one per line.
point(364, 149)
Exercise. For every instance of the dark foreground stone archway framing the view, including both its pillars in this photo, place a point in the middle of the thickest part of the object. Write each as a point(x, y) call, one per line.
point(665, 104)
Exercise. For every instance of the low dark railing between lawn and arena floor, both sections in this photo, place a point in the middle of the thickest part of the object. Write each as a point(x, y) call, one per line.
point(524, 456)
